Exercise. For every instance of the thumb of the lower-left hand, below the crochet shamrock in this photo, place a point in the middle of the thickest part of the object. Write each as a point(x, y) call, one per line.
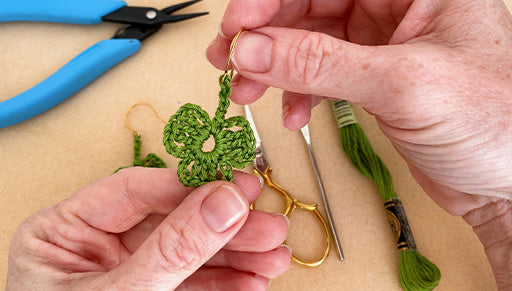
point(197, 229)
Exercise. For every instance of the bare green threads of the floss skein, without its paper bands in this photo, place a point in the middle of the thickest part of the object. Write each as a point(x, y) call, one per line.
point(416, 273)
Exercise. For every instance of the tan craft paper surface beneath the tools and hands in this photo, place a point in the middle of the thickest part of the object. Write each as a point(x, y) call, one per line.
point(48, 158)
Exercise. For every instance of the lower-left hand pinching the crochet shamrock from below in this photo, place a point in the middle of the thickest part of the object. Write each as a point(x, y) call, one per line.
point(140, 229)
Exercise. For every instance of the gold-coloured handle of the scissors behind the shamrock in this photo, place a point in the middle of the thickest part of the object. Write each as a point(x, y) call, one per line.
point(292, 204)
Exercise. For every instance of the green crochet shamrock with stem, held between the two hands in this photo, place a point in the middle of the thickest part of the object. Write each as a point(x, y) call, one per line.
point(191, 126)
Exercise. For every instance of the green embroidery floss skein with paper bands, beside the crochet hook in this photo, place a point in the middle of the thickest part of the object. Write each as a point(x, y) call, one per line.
point(416, 273)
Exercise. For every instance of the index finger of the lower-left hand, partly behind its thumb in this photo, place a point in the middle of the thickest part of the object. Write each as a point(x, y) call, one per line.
point(118, 202)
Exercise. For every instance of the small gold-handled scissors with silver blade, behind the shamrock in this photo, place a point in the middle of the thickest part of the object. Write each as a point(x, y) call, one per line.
point(262, 169)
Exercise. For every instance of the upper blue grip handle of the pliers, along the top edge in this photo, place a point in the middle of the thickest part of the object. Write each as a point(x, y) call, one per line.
point(65, 11)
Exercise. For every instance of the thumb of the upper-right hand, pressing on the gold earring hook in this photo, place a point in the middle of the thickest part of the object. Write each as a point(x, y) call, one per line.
point(315, 63)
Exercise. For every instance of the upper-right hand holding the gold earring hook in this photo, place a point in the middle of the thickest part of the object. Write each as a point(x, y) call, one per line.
point(436, 74)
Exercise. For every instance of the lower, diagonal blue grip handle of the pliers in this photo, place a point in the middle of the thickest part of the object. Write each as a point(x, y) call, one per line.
point(75, 75)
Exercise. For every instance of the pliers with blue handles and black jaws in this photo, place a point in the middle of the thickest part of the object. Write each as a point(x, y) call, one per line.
point(140, 22)
